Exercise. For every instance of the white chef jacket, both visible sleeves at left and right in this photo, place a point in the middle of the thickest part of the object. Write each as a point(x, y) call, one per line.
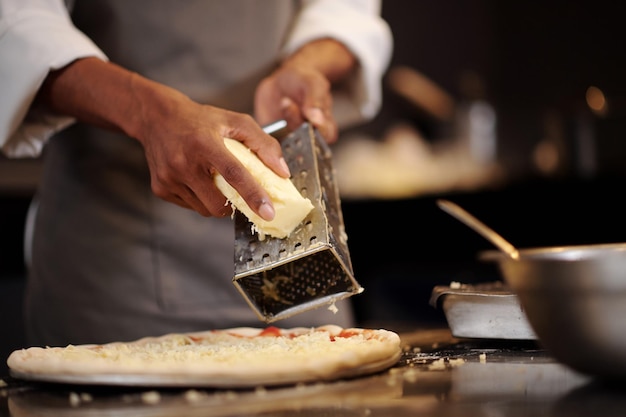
point(37, 36)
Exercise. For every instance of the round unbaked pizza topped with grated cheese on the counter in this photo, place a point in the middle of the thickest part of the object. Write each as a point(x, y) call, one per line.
point(238, 357)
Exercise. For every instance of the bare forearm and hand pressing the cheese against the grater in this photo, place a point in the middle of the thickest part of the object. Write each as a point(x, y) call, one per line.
point(183, 140)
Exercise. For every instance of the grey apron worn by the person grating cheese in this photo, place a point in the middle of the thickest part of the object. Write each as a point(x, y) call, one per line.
point(110, 261)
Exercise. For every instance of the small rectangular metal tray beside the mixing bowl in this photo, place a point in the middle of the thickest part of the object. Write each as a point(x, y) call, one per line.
point(487, 310)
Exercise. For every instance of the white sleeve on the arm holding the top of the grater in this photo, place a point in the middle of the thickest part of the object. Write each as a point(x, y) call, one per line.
point(359, 26)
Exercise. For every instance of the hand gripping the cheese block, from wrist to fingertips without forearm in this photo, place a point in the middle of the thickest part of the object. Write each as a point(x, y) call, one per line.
point(186, 148)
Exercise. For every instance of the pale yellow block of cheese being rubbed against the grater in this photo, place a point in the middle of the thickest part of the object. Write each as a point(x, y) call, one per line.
point(290, 206)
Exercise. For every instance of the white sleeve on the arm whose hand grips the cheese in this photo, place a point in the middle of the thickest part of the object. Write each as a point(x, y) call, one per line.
point(36, 36)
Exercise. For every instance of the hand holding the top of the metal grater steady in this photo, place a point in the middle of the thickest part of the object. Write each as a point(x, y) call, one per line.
point(299, 89)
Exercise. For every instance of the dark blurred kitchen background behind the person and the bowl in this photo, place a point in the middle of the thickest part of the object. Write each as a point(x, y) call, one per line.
point(514, 110)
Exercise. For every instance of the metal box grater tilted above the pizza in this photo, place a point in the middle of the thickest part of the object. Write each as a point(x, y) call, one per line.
point(311, 267)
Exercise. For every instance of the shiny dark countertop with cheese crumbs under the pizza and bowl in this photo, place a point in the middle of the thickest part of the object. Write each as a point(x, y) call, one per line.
point(437, 376)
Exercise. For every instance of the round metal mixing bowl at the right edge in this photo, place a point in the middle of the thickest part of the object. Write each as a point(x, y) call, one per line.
point(575, 300)
